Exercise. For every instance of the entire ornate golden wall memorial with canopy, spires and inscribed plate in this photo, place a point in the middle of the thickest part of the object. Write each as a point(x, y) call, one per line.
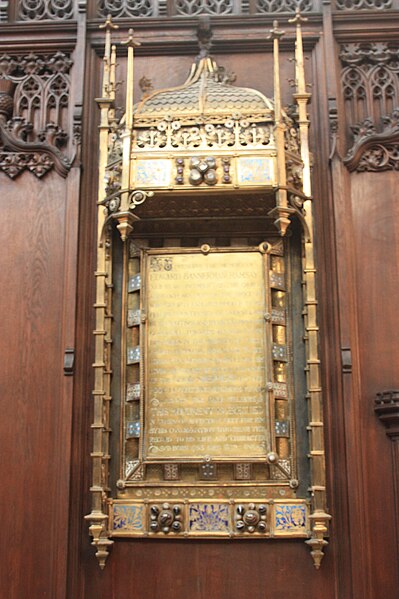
point(212, 139)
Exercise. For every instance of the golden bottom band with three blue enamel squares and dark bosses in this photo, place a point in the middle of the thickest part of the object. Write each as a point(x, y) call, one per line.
point(222, 519)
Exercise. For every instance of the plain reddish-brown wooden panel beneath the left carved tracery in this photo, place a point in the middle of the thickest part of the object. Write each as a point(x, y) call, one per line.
point(35, 419)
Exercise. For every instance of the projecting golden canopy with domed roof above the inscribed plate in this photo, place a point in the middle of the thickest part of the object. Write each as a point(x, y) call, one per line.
point(206, 135)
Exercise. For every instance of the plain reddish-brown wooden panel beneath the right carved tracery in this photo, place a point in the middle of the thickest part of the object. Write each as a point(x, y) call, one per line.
point(376, 234)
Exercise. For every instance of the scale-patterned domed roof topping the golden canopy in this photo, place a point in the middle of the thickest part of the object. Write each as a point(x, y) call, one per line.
point(203, 95)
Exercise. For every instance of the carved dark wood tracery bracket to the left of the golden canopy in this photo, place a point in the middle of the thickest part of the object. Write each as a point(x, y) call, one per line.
point(34, 98)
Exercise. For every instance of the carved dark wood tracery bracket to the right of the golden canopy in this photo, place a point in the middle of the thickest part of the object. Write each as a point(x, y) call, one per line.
point(370, 85)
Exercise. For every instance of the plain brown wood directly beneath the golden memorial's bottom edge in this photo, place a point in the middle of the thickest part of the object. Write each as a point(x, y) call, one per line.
point(204, 570)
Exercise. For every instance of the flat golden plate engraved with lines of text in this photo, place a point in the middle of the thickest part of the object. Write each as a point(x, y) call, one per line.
point(206, 367)
